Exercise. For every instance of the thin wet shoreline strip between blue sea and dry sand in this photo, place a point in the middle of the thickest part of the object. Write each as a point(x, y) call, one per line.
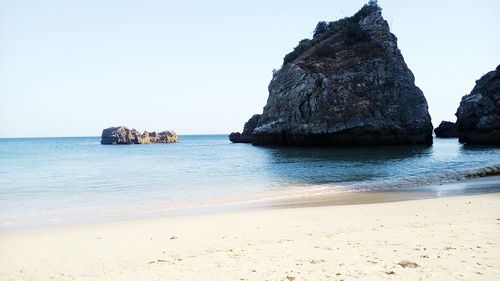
point(299, 198)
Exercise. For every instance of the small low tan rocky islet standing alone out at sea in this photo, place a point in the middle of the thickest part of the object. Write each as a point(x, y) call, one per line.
point(123, 135)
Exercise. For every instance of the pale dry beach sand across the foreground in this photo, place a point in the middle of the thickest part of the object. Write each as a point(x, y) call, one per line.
point(453, 238)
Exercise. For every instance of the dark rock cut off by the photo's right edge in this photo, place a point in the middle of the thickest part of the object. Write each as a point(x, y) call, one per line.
point(478, 116)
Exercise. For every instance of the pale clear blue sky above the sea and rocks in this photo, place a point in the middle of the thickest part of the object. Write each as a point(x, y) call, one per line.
point(73, 68)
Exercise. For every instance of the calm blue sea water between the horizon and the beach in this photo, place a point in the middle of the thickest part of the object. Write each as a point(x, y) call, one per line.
point(52, 180)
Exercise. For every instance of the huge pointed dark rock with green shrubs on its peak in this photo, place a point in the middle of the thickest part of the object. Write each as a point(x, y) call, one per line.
point(349, 85)
